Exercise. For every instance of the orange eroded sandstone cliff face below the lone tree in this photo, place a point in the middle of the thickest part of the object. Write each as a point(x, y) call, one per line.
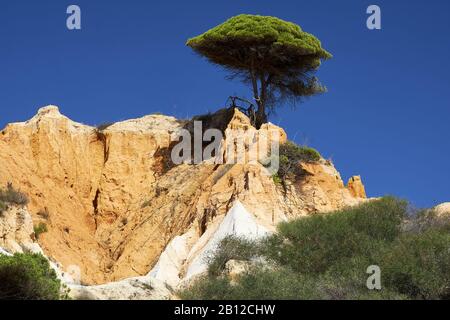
point(115, 201)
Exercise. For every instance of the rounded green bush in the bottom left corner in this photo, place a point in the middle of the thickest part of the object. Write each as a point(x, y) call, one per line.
point(28, 277)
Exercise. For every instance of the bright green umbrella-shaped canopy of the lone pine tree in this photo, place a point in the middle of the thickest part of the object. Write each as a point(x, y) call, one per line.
point(287, 42)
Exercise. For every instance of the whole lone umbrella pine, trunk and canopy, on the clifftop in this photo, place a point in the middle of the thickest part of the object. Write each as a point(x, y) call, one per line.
point(276, 58)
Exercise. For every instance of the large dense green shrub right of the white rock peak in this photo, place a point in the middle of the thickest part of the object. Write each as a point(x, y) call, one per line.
point(313, 244)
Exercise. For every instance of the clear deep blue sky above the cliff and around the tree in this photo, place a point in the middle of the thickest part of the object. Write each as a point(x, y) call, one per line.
point(385, 117)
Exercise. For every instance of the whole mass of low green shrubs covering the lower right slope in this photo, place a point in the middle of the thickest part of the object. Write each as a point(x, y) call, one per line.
point(327, 256)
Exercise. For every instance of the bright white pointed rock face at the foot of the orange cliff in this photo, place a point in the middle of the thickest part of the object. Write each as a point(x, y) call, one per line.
point(238, 222)
